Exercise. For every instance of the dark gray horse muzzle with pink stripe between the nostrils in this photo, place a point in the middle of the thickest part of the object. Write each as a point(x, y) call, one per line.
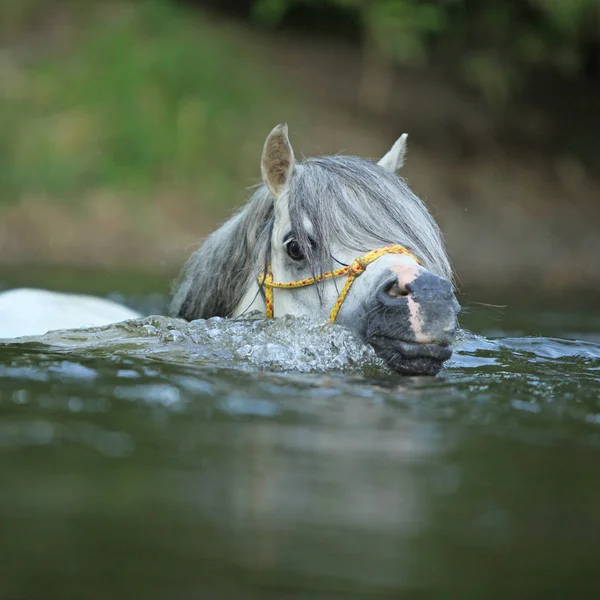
point(412, 321)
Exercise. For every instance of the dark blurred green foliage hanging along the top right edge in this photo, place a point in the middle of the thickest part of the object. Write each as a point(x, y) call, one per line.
point(492, 44)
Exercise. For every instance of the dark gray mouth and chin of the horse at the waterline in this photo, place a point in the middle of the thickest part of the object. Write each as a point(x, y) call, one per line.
point(411, 358)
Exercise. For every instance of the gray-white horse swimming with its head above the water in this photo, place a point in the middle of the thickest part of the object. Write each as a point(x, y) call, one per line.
point(336, 237)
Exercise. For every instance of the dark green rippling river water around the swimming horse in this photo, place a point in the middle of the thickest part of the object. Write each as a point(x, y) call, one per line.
point(159, 459)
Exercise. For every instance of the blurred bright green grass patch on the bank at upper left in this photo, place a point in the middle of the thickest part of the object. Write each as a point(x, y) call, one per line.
point(141, 95)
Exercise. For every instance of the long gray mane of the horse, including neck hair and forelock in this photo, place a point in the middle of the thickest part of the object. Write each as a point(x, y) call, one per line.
point(348, 200)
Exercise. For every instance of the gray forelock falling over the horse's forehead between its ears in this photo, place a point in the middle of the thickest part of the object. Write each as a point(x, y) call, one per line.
point(356, 203)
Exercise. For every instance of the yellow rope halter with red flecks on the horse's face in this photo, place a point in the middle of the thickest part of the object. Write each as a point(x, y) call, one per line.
point(352, 271)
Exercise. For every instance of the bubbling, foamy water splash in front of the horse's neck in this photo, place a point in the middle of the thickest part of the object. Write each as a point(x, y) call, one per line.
point(286, 344)
